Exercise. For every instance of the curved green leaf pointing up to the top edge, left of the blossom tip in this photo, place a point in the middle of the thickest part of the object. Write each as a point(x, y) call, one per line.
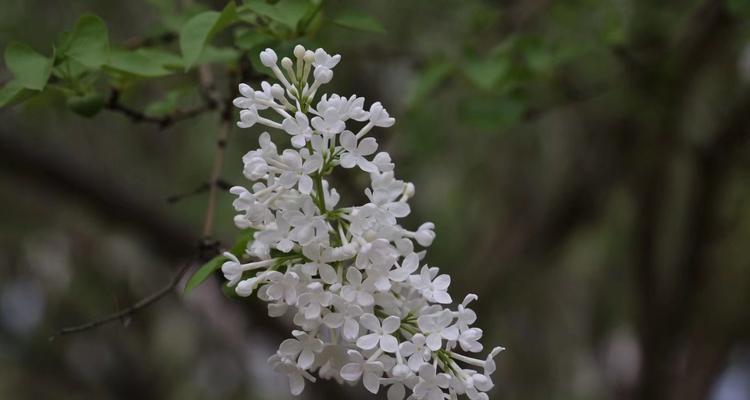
point(199, 29)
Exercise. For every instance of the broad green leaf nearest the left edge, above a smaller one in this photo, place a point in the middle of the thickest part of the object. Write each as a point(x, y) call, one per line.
point(30, 68)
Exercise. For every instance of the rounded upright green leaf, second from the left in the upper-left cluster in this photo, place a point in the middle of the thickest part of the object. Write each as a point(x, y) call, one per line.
point(89, 42)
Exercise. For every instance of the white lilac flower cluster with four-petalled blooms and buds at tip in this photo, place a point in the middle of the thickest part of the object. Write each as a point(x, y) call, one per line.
point(363, 306)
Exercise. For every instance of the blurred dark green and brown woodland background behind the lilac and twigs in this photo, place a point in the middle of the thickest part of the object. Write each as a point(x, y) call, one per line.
point(586, 163)
